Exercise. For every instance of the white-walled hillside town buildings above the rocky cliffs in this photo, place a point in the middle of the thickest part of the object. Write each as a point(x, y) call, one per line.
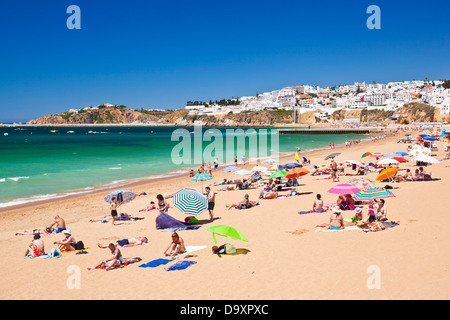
point(325, 101)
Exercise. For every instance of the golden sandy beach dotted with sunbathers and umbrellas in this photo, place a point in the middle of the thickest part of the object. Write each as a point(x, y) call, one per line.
point(285, 257)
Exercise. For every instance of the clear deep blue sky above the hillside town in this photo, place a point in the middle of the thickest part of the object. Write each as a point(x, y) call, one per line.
point(164, 53)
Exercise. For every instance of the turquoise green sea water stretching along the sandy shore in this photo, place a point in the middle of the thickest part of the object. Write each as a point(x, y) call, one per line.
point(37, 164)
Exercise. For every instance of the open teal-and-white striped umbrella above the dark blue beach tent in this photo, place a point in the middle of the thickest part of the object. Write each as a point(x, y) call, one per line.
point(190, 201)
